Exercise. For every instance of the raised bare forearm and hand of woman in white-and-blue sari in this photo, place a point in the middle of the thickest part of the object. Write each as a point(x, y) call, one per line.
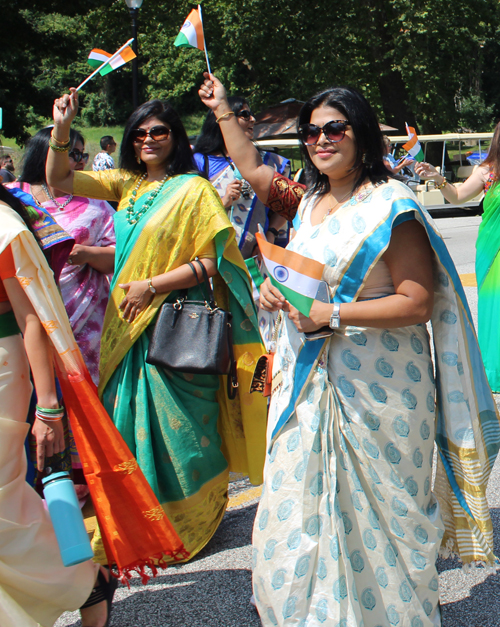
point(239, 147)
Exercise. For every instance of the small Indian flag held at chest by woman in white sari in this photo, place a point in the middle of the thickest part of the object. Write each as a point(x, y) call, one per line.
point(296, 277)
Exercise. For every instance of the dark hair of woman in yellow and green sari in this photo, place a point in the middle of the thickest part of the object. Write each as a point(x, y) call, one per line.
point(182, 161)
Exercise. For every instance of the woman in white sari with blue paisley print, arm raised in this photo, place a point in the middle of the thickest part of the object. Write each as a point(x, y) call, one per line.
point(349, 525)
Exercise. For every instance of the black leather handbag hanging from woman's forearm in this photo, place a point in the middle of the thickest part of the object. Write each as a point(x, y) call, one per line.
point(195, 336)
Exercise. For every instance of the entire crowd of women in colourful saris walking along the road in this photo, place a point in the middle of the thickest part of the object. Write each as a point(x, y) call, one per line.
point(355, 505)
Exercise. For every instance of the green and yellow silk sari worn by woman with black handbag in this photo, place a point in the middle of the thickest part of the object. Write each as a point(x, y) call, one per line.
point(183, 430)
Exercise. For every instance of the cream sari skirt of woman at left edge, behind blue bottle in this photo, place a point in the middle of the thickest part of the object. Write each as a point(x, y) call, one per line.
point(35, 587)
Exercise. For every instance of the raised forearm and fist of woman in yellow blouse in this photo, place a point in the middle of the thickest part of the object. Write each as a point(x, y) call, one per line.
point(57, 170)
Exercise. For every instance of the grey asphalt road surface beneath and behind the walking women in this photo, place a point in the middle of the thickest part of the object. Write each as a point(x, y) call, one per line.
point(214, 589)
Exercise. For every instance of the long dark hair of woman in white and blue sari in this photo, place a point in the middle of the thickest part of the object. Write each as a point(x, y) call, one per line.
point(369, 143)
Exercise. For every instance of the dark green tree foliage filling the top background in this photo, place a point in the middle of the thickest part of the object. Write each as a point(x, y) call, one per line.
point(419, 61)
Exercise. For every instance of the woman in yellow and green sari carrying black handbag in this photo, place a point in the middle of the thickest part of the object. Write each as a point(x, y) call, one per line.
point(183, 430)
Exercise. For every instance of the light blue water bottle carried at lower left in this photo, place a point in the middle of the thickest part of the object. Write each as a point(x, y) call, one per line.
point(67, 519)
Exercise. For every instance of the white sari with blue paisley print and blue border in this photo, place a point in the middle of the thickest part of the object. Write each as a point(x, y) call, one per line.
point(348, 528)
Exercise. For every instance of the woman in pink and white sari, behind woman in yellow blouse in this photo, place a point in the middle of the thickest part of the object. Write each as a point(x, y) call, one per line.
point(84, 280)
